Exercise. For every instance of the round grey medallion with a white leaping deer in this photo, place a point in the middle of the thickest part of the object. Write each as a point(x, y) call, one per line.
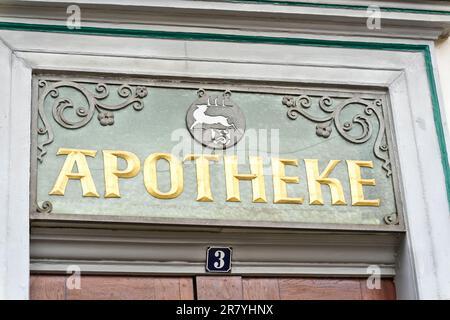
point(215, 120)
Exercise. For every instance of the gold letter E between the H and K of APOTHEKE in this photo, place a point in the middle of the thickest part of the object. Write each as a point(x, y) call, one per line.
point(280, 180)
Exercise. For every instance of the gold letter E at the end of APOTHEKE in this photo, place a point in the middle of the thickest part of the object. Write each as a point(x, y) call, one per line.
point(357, 183)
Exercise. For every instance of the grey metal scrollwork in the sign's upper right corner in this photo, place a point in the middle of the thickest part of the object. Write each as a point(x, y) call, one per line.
point(324, 124)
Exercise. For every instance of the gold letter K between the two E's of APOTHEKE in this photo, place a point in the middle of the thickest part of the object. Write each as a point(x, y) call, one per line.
point(315, 180)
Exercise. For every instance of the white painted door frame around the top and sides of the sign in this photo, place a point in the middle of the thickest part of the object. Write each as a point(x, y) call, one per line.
point(426, 256)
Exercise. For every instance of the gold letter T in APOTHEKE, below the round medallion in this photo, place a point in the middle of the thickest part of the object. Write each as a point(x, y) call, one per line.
point(203, 177)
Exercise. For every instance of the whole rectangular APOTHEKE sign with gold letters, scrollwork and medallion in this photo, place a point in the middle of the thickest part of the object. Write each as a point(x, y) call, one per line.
point(174, 151)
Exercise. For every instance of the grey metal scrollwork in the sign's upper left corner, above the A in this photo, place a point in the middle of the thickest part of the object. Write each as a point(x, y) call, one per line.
point(94, 103)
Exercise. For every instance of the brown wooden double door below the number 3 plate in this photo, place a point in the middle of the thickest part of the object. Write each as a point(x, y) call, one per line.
point(207, 288)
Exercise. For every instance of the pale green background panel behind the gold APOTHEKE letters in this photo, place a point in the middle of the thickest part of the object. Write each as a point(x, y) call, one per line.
point(160, 127)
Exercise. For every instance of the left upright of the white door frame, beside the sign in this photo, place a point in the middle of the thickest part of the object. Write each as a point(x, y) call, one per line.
point(15, 133)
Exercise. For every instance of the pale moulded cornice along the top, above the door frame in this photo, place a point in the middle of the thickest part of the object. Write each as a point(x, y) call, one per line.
point(412, 21)
